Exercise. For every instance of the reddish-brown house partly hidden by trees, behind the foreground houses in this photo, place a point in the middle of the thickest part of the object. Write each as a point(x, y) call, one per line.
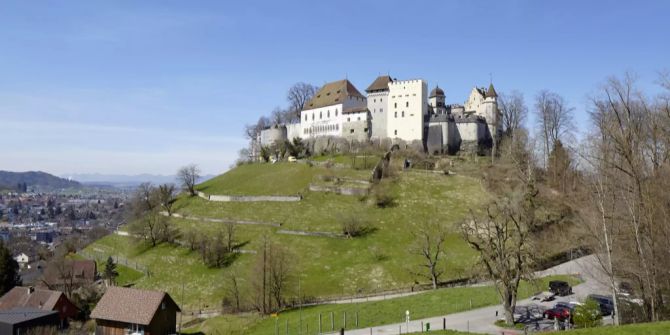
point(70, 274)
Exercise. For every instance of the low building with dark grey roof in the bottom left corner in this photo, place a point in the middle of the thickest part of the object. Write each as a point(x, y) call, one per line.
point(20, 321)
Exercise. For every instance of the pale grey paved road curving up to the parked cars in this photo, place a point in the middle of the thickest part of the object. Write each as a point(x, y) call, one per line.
point(481, 320)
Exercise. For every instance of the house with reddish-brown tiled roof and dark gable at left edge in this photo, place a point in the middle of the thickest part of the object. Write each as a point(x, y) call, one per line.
point(46, 300)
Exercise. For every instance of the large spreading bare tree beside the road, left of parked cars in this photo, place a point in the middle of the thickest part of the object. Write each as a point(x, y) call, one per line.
point(501, 238)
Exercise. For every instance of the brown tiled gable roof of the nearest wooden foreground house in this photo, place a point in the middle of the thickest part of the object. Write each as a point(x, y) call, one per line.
point(130, 305)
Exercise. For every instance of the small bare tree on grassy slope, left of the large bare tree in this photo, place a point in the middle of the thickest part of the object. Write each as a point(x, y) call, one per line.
point(429, 243)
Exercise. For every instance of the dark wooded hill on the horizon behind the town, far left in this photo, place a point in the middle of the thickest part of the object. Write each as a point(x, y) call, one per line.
point(37, 180)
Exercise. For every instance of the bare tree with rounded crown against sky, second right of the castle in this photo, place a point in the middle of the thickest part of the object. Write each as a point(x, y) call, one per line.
point(554, 120)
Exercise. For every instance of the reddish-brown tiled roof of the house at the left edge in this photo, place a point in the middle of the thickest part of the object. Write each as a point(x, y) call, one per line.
point(23, 297)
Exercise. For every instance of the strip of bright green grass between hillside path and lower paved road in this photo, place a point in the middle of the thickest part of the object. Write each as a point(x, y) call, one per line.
point(427, 304)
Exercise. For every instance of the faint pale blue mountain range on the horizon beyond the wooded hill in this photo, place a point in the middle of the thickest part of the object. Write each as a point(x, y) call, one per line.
point(125, 180)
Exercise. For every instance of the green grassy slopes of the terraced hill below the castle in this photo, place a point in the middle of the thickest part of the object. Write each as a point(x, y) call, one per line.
point(327, 266)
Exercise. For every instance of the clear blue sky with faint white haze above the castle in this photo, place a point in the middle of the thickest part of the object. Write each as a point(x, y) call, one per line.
point(147, 86)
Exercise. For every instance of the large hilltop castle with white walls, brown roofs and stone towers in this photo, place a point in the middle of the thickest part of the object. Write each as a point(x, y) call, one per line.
point(397, 112)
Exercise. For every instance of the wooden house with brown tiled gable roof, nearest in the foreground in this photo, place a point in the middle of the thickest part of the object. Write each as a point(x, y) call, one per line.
point(127, 310)
